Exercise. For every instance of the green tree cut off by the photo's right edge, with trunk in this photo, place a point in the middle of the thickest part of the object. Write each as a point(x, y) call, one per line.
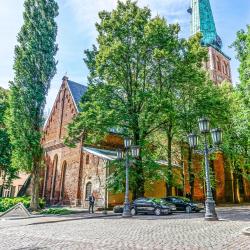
point(237, 137)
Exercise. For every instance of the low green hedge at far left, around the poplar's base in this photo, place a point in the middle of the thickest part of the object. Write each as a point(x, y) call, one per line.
point(6, 203)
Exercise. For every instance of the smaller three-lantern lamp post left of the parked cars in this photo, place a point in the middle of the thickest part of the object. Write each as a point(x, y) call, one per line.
point(135, 151)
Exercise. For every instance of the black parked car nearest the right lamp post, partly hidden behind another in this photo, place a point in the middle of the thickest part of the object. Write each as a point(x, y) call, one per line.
point(184, 204)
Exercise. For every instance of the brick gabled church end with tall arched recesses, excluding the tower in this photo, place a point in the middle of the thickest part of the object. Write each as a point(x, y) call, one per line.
point(72, 174)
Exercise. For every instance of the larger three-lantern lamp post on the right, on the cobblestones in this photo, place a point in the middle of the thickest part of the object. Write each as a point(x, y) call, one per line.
point(216, 134)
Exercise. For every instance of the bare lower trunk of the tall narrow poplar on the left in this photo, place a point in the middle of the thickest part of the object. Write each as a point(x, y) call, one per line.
point(34, 203)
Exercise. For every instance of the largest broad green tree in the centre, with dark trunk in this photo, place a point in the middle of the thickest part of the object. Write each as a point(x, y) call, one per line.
point(123, 86)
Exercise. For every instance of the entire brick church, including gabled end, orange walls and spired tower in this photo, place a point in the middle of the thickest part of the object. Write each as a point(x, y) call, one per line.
point(72, 174)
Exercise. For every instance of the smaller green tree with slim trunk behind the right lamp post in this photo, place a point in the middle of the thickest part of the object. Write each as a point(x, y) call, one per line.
point(198, 98)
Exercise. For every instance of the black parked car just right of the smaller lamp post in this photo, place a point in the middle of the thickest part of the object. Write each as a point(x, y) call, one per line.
point(151, 206)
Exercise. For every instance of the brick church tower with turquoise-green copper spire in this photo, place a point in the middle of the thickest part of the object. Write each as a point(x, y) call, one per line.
point(202, 21)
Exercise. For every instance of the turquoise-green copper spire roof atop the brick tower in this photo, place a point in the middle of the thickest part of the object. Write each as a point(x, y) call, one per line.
point(203, 21)
